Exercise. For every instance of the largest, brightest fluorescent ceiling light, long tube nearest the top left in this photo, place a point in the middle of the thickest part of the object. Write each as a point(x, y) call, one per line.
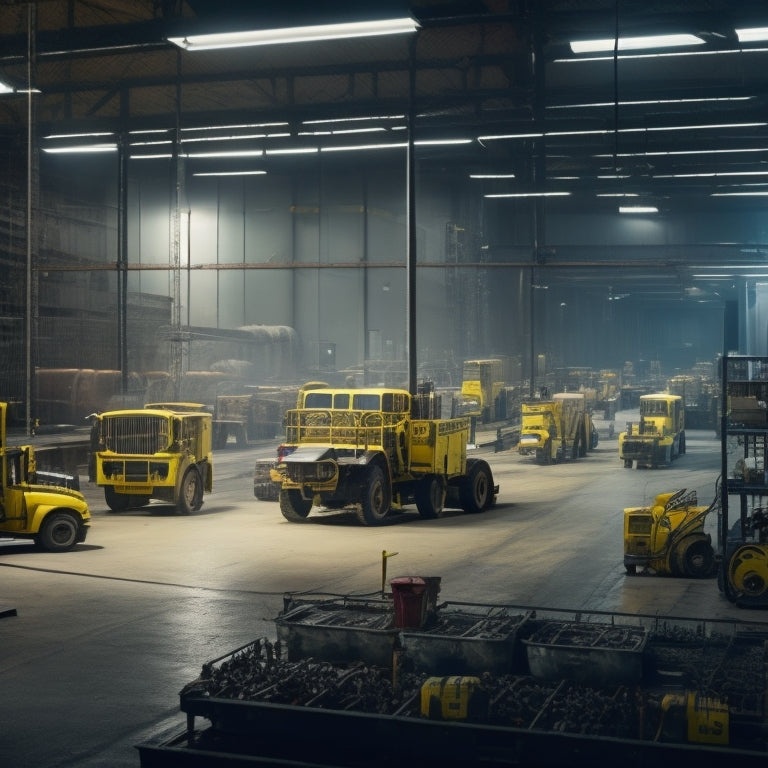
point(295, 34)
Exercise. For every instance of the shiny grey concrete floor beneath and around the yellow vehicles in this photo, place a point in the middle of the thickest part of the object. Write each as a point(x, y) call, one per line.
point(107, 635)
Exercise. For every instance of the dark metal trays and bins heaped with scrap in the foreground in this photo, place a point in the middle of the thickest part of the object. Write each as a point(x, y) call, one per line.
point(479, 684)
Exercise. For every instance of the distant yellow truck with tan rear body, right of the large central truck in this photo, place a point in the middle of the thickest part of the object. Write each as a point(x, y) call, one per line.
point(557, 429)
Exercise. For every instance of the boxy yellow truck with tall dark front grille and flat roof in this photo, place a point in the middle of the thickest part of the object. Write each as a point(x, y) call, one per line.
point(161, 451)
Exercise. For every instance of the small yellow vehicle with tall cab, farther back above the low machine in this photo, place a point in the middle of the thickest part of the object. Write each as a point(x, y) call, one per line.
point(659, 437)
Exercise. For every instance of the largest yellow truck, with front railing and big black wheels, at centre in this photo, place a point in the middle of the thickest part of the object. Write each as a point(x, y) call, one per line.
point(377, 450)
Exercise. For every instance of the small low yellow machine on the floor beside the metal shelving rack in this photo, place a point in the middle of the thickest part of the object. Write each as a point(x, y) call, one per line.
point(668, 537)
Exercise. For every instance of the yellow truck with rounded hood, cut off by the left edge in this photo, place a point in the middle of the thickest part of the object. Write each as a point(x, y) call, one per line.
point(46, 507)
